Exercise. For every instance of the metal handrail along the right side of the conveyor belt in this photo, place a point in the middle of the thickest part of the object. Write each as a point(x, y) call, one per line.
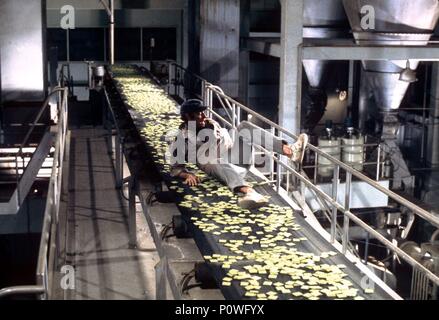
point(350, 172)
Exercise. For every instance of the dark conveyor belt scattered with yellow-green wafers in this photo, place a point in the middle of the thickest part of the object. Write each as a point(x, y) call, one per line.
point(270, 253)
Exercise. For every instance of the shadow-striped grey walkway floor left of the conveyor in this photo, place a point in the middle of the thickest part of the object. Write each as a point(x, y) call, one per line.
point(106, 268)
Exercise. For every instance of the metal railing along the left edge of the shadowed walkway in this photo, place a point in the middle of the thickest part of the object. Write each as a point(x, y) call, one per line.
point(47, 257)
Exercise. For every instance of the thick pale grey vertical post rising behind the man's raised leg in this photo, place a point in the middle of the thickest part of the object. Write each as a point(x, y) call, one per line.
point(291, 65)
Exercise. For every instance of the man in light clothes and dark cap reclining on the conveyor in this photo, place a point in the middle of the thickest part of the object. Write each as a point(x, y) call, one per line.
point(203, 141)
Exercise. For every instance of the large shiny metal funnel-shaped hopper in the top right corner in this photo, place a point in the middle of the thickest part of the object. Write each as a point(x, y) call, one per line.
point(397, 22)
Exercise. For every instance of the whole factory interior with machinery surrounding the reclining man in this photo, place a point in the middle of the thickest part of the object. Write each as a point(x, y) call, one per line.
point(90, 99)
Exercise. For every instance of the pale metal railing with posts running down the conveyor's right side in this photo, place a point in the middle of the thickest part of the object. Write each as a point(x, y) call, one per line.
point(213, 96)
